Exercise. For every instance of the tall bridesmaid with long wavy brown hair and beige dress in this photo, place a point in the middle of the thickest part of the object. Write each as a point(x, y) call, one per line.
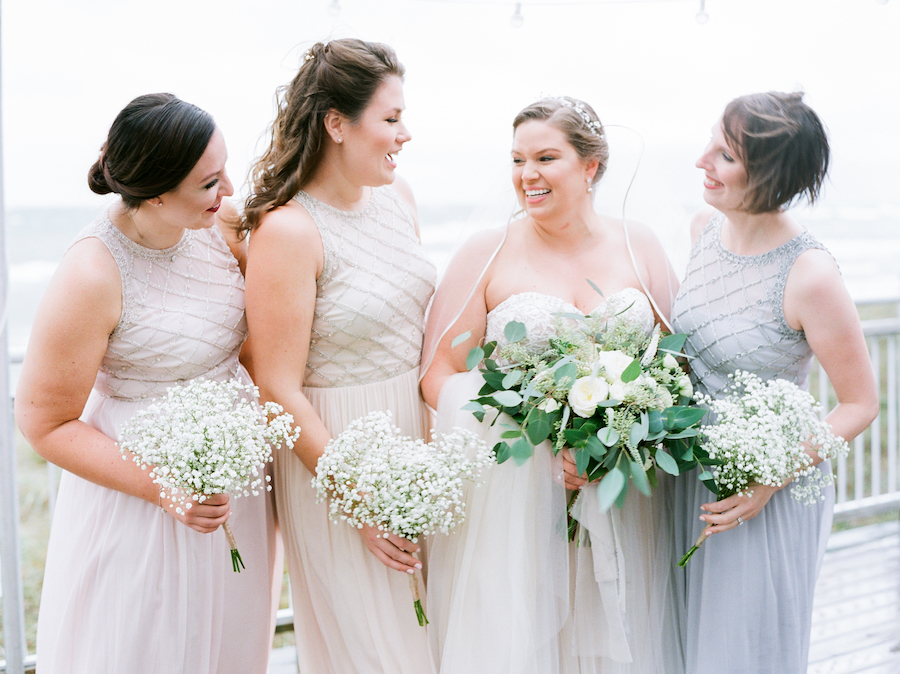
point(337, 285)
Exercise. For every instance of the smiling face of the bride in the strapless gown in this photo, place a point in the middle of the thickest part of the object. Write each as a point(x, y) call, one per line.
point(549, 177)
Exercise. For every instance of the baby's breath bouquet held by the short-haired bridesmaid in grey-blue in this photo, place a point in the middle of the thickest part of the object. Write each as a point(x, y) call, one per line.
point(761, 435)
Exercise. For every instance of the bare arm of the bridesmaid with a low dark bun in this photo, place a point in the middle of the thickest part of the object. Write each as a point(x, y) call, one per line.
point(79, 310)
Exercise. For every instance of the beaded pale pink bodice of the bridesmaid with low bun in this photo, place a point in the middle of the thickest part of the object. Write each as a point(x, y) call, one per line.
point(182, 313)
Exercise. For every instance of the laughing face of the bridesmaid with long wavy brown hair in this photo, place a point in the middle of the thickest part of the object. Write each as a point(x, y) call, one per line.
point(372, 142)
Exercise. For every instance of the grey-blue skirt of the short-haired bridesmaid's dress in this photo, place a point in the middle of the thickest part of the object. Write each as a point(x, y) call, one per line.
point(744, 601)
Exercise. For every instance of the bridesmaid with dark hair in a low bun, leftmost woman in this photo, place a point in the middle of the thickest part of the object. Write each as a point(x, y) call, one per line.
point(149, 295)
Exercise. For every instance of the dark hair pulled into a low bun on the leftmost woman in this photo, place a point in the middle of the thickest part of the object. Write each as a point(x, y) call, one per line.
point(152, 146)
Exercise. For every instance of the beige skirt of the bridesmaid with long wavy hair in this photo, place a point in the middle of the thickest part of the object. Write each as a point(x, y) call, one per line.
point(352, 614)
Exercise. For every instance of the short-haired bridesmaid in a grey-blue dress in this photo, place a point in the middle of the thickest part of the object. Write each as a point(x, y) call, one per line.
point(763, 295)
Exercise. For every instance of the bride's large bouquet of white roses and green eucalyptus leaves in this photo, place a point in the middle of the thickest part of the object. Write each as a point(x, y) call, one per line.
point(615, 395)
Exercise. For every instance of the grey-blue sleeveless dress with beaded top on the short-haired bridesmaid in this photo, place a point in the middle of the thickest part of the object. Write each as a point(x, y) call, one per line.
point(744, 601)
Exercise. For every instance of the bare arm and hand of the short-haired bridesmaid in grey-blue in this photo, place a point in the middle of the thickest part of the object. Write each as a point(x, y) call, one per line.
point(816, 301)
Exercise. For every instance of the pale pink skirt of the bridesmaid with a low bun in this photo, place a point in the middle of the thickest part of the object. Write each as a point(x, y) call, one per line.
point(127, 588)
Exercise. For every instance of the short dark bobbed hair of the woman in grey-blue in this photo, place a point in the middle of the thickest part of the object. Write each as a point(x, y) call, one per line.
point(783, 146)
